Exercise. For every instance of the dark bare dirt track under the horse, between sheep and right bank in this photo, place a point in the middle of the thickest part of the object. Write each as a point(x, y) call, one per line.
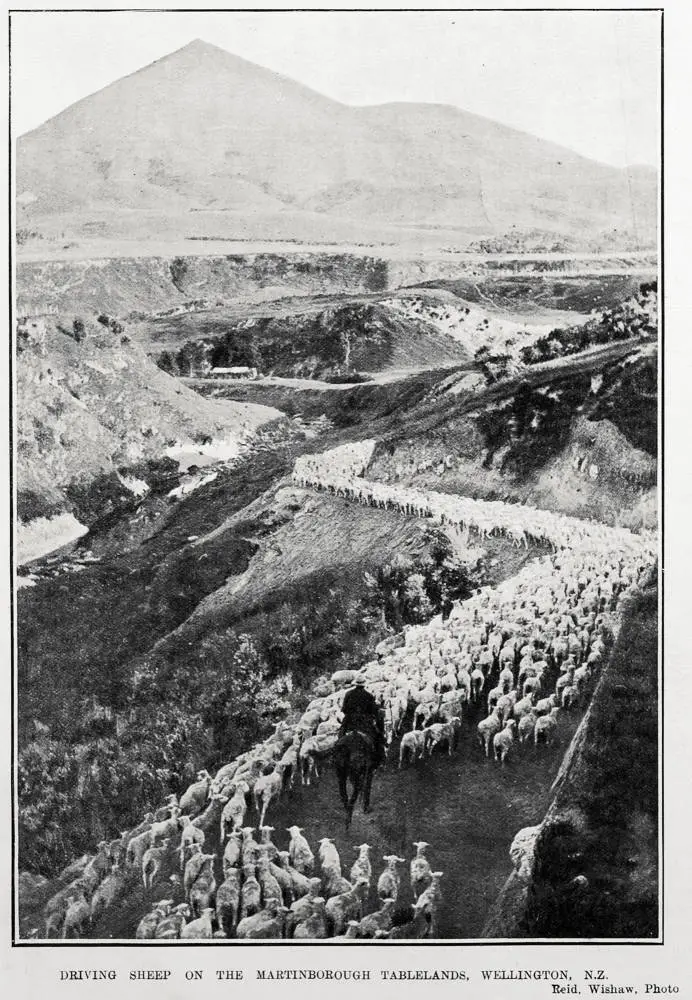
point(475, 805)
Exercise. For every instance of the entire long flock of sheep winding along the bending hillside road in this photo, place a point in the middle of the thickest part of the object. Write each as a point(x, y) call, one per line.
point(524, 652)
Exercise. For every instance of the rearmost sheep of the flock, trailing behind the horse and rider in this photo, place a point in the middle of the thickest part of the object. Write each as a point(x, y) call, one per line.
point(253, 890)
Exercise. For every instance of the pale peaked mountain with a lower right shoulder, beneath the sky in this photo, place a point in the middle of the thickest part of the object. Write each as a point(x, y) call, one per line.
point(202, 142)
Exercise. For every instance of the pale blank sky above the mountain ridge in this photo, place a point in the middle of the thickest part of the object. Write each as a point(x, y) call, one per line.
point(587, 80)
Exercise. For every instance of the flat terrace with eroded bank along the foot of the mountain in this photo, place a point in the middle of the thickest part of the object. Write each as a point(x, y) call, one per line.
point(176, 282)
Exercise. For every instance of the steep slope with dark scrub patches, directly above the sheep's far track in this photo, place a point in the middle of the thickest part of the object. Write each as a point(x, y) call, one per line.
point(537, 443)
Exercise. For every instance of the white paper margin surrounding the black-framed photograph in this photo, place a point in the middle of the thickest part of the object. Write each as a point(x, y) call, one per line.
point(33, 969)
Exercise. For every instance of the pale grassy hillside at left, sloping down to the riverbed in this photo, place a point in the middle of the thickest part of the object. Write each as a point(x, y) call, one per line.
point(90, 402)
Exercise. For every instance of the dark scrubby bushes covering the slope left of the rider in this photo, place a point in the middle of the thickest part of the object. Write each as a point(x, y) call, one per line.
point(135, 732)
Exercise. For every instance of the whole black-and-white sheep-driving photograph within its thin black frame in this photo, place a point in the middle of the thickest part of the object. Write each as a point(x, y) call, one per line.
point(335, 365)
